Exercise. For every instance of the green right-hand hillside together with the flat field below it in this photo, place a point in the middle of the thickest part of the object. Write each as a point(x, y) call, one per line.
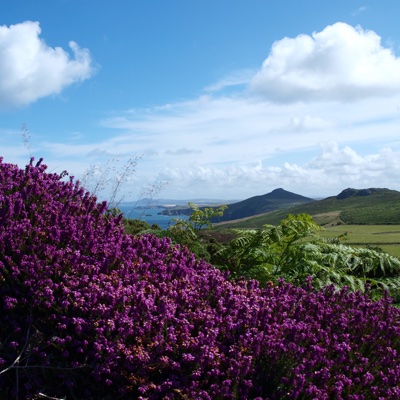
point(372, 220)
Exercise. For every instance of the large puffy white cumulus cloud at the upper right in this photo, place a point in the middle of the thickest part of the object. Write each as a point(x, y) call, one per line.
point(340, 63)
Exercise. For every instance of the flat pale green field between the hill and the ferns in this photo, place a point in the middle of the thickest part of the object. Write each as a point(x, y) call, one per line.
point(386, 237)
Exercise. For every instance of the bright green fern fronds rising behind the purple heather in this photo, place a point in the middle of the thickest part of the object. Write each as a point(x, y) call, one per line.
point(293, 251)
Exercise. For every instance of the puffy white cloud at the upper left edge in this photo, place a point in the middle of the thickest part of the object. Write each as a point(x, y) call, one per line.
point(29, 69)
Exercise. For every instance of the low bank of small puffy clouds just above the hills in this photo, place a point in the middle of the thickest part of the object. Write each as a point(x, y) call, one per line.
point(331, 171)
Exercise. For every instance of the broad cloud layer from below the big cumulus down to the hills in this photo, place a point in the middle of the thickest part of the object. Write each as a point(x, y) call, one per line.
point(236, 148)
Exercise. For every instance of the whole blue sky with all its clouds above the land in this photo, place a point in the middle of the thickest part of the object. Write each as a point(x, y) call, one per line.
point(220, 99)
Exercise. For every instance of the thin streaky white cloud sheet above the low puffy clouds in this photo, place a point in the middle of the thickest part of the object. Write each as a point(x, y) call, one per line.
point(225, 130)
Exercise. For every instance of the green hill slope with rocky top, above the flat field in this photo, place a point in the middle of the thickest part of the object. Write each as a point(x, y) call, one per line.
point(351, 206)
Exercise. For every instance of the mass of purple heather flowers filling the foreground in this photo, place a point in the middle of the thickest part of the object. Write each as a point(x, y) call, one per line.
point(89, 312)
